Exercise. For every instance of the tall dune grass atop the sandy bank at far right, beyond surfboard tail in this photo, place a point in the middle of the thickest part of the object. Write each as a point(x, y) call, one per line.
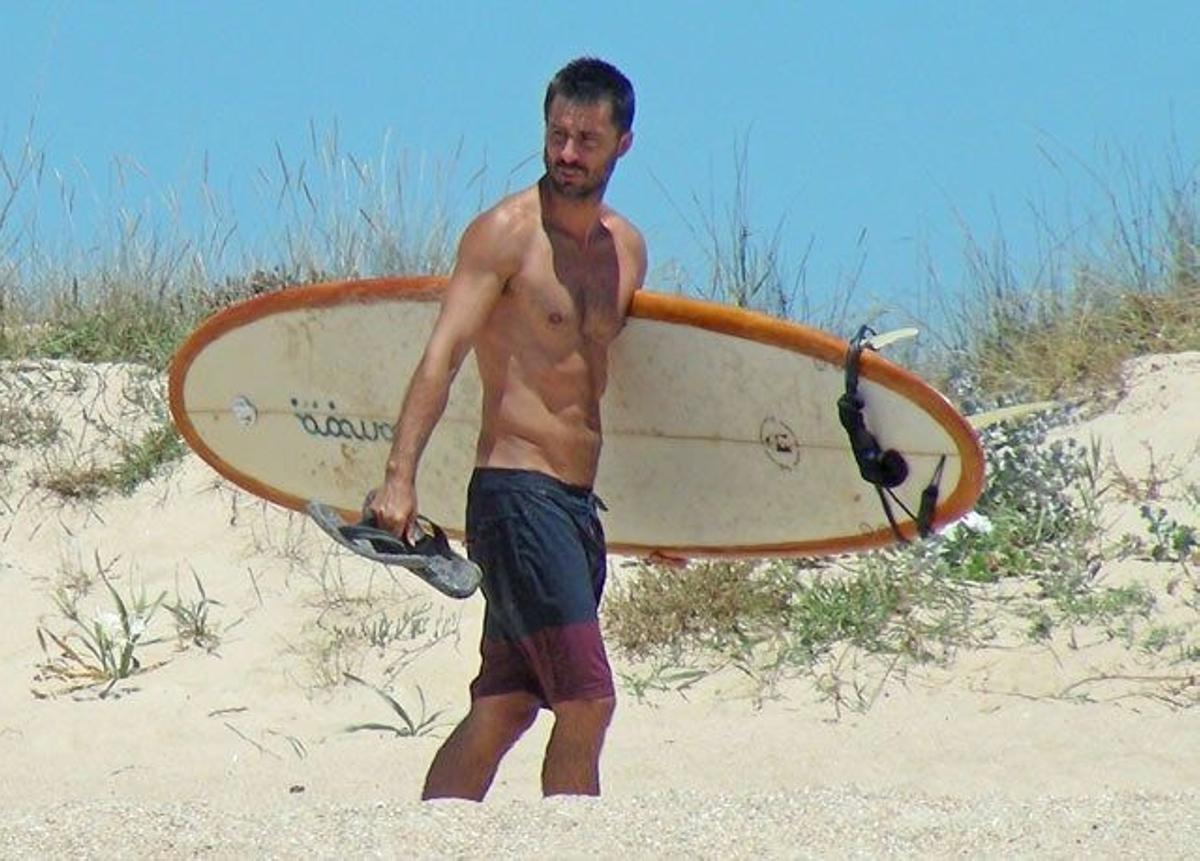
point(1130, 290)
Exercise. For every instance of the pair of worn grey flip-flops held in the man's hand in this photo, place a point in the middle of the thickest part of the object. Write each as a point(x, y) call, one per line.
point(430, 557)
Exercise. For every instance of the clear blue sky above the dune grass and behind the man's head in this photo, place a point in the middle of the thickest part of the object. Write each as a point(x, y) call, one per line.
point(877, 134)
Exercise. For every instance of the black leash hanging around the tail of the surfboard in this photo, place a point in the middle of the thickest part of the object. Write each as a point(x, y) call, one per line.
point(884, 469)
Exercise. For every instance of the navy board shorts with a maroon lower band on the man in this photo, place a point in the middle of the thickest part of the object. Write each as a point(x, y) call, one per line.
point(542, 549)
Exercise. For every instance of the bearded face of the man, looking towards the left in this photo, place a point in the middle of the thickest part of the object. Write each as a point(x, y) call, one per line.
point(583, 147)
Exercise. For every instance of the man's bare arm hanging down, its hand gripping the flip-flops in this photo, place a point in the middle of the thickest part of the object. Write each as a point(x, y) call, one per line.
point(488, 258)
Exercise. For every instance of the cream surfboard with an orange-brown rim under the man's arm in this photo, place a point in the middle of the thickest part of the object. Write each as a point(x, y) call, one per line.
point(722, 436)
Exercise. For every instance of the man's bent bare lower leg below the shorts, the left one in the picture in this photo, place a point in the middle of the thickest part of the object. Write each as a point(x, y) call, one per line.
point(466, 763)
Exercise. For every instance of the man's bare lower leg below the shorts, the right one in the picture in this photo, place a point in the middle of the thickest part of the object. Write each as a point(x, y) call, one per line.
point(573, 756)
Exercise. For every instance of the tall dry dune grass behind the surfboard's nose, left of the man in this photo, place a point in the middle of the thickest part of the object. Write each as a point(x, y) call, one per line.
point(134, 293)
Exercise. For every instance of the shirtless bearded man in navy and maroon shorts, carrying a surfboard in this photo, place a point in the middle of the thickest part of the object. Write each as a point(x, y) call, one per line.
point(541, 288)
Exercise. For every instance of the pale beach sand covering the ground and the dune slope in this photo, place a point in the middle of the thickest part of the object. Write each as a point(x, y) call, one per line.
point(237, 746)
